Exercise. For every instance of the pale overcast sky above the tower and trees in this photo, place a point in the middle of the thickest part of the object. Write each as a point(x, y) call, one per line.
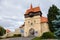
point(12, 11)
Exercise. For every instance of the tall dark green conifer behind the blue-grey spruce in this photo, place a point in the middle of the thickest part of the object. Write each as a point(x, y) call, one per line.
point(52, 12)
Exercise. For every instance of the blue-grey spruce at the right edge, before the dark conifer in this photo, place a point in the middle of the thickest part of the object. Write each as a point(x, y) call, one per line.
point(56, 24)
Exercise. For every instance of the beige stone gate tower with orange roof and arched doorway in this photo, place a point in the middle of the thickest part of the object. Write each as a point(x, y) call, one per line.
point(32, 22)
